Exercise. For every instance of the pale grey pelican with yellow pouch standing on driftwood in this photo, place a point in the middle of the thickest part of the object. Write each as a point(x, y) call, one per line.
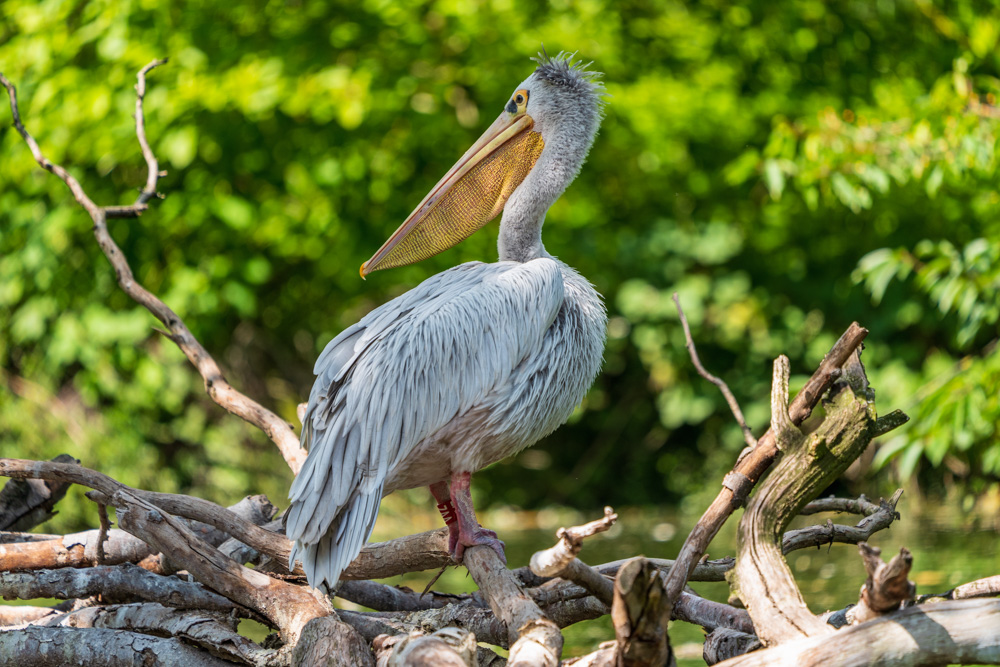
point(475, 363)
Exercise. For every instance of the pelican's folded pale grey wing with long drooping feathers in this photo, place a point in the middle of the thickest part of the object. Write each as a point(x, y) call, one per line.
point(399, 375)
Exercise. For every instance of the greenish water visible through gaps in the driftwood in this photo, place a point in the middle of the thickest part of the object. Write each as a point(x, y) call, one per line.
point(952, 541)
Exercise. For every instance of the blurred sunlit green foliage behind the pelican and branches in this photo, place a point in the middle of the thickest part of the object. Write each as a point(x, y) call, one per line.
point(786, 167)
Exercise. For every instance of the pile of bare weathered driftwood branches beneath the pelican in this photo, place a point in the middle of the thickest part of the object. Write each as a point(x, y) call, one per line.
point(170, 585)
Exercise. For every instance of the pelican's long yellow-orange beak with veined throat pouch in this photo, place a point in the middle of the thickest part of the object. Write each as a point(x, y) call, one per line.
point(472, 193)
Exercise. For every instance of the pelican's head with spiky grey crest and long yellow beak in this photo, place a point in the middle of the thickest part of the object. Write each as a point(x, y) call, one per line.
point(547, 124)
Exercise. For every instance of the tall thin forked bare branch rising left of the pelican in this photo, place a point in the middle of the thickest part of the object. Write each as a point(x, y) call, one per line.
point(216, 385)
